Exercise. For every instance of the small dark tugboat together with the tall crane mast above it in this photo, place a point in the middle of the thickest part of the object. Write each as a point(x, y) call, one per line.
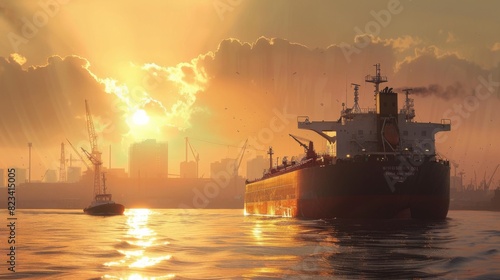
point(102, 204)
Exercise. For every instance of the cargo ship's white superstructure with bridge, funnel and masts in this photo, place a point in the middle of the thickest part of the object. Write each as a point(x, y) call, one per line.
point(383, 130)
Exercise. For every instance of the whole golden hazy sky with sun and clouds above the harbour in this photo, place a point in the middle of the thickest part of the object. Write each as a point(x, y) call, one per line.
point(226, 70)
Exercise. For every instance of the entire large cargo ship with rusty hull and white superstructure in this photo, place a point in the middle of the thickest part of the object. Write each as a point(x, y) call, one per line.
point(382, 164)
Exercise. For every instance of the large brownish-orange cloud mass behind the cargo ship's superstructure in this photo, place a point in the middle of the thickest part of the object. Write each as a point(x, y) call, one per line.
point(249, 81)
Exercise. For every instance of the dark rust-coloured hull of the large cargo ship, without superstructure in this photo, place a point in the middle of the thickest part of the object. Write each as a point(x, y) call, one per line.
point(354, 190)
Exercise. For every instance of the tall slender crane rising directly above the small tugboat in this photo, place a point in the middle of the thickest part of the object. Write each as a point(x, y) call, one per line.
point(94, 156)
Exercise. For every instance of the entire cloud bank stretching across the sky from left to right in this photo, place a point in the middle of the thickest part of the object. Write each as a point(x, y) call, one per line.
point(240, 90)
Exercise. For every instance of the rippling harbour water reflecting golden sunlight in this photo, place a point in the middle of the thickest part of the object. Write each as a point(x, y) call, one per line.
point(225, 244)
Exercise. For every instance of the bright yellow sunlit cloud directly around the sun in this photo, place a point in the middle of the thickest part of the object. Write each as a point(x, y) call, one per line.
point(169, 93)
